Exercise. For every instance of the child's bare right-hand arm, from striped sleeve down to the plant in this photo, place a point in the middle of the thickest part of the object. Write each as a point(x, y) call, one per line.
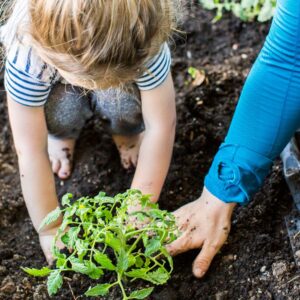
point(159, 113)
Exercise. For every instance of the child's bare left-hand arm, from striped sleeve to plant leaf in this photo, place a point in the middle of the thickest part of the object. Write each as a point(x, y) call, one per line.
point(30, 137)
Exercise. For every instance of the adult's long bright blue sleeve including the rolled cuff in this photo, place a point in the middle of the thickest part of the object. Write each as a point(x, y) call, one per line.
point(267, 115)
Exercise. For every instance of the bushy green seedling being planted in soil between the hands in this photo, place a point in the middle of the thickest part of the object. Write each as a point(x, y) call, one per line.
point(102, 238)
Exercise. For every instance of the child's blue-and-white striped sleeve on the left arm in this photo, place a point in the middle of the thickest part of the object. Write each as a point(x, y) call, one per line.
point(26, 78)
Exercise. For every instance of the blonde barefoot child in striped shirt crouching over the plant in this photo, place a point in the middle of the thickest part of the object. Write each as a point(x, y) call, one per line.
point(70, 59)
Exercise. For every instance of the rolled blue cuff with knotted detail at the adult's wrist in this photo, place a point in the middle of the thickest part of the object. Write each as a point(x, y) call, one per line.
point(236, 173)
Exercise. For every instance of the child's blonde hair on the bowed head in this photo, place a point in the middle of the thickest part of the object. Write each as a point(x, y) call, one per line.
point(96, 43)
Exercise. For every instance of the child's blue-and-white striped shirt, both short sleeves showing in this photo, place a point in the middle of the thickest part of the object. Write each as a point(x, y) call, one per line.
point(28, 79)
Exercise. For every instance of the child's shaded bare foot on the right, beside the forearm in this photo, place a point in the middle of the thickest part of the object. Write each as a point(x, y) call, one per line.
point(129, 147)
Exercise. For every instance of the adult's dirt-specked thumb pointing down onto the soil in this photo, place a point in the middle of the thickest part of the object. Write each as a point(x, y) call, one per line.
point(204, 259)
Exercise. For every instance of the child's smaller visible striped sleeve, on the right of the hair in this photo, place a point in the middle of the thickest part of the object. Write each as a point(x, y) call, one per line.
point(157, 71)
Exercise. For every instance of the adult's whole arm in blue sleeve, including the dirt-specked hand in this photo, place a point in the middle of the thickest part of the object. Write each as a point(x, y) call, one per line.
point(267, 115)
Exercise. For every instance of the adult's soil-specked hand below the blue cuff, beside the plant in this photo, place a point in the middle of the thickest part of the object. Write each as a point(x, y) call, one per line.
point(204, 223)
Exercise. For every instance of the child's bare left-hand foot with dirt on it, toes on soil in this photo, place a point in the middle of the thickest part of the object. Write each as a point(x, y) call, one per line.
point(61, 155)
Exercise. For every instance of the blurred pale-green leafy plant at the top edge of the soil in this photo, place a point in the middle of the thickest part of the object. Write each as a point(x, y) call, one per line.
point(246, 10)
